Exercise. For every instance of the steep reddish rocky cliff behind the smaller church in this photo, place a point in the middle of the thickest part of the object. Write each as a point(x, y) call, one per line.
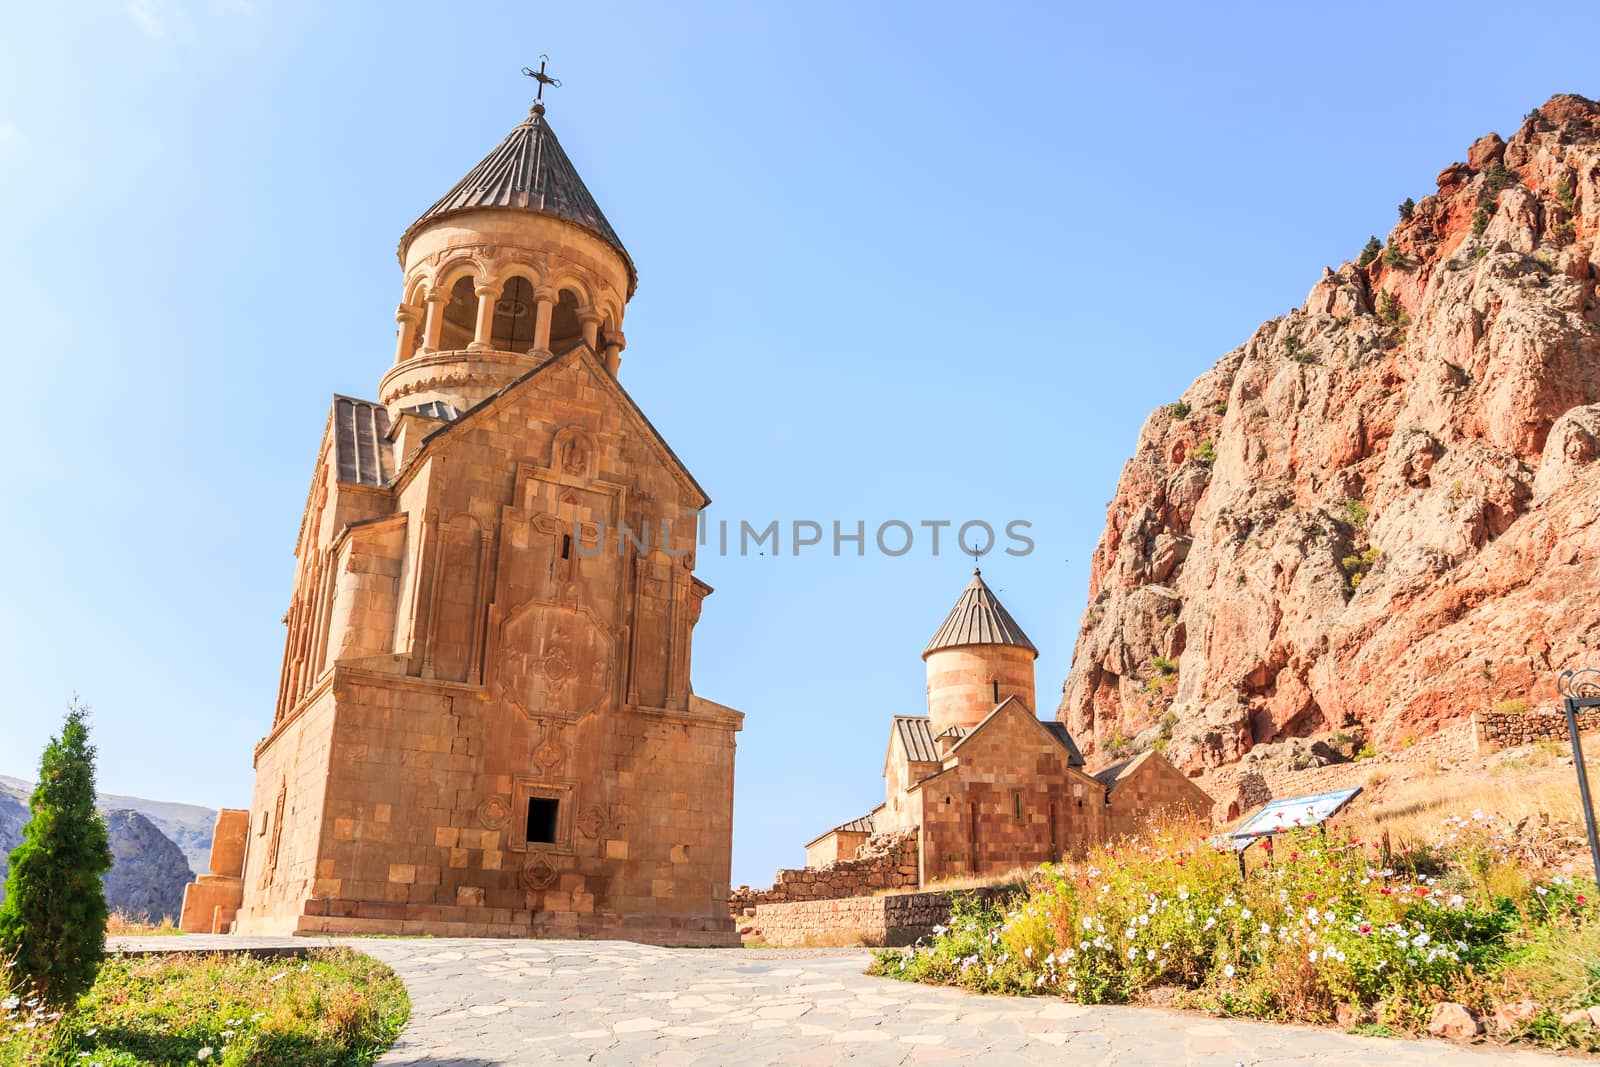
point(1383, 511)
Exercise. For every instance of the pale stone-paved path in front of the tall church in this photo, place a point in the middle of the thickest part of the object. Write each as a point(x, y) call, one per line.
point(524, 1002)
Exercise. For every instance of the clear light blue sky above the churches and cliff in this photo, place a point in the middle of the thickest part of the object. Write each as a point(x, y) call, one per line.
point(897, 262)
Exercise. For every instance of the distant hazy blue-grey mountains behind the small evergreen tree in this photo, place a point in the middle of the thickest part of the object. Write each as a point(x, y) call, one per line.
point(151, 871)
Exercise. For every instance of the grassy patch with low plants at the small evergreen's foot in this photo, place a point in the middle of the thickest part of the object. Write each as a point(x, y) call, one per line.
point(335, 1007)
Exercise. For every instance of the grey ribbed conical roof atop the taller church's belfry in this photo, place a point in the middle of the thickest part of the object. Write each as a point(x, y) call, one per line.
point(529, 170)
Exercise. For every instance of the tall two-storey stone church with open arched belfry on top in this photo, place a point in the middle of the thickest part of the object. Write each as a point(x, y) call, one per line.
point(486, 724)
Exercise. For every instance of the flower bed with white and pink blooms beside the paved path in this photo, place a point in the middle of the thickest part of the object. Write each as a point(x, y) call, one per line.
point(1330, 929)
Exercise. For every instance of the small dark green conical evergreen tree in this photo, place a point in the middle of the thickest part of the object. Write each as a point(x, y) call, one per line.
point(54, 919)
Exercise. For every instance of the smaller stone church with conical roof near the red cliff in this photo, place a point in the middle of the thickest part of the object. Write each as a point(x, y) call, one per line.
point(980, 783)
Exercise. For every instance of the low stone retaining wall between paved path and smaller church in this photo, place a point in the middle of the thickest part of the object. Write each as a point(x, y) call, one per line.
point(897, 919)
